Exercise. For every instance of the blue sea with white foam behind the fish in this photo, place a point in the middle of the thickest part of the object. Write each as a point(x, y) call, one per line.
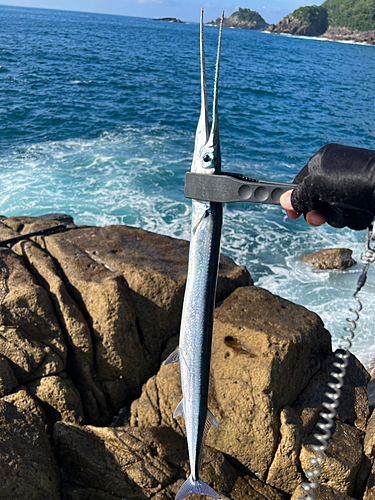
point(98, 116)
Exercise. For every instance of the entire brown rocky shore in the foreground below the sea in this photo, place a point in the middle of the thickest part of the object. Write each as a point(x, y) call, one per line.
point(87, 317)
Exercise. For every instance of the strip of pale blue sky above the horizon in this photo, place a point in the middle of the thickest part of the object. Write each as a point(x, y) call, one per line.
point(186, 10)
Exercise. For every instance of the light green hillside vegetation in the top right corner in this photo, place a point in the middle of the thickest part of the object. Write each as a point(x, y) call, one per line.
point(353, 14)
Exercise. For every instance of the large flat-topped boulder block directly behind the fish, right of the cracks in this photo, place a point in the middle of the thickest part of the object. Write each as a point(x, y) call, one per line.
point(102, 273)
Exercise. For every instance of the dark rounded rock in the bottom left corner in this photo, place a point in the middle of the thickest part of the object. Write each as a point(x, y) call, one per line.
point(27, 464)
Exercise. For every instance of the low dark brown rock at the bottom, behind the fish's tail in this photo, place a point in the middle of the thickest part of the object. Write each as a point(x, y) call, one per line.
point(140, 464)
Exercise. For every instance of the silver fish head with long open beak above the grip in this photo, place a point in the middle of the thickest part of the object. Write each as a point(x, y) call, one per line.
point(207, 157)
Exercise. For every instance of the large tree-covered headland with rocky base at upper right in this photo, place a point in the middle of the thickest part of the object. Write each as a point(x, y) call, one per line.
point(334, 19)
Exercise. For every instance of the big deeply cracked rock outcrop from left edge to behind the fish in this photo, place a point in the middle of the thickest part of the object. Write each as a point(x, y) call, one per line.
point(101, 303)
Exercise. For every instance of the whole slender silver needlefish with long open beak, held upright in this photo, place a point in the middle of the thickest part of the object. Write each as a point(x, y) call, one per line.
point(194, 350)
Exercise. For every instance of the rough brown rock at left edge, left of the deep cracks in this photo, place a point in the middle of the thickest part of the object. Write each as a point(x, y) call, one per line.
point(30, 337)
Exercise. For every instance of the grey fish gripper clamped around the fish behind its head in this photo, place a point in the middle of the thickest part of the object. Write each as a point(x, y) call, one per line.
point(228, 189)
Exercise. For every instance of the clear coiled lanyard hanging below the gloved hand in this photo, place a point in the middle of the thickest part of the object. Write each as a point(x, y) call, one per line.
point(325, 425)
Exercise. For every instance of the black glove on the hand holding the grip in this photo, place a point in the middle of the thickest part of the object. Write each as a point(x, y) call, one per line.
point(339, 181)
